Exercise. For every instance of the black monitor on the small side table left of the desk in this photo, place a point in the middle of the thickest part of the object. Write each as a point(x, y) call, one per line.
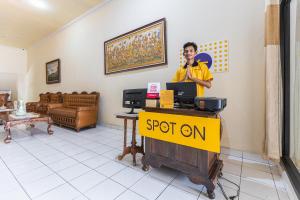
point(134, 98)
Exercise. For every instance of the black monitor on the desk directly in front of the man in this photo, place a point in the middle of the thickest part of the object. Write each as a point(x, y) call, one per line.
point(184, 93)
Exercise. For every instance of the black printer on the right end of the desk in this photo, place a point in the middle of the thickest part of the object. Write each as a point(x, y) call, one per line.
point(211, 104)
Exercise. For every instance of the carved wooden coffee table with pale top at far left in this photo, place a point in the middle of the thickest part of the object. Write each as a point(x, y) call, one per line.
point(10, 122)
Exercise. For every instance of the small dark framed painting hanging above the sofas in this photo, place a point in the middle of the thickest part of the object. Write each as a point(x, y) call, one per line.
point(53, 71)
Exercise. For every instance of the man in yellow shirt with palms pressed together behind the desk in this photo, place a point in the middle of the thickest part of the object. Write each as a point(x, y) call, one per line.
point(193, 71)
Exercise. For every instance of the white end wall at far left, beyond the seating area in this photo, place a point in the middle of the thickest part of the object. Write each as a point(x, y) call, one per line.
point(13, 65)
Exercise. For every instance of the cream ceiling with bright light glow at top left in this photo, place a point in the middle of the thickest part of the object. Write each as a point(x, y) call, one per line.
point(24, 22)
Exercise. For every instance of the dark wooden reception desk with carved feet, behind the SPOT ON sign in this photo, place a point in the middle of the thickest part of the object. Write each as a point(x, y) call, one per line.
point(201, 166)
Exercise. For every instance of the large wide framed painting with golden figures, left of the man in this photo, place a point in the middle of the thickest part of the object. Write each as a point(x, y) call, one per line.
point(140, 48)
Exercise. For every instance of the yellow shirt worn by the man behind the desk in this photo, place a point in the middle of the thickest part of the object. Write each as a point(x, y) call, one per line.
point(198, 70)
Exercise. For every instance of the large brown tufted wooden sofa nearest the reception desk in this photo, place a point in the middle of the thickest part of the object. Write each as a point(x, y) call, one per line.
point(77, 110)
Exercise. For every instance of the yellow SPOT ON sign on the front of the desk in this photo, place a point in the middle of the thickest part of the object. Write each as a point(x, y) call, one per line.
point(197, 132)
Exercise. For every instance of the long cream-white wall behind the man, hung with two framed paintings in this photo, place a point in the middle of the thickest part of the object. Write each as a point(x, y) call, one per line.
point(80, 48)
